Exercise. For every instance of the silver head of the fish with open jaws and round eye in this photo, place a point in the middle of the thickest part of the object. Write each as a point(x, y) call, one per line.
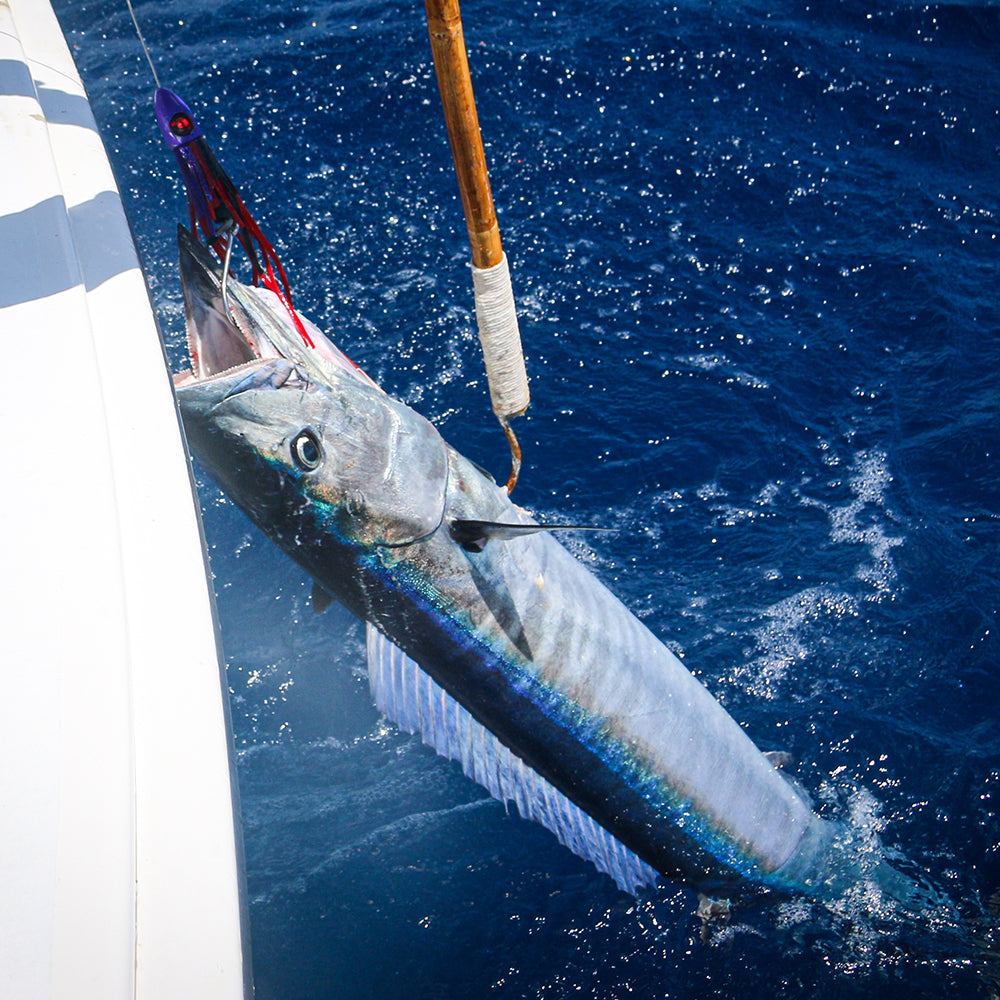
point(306, 444)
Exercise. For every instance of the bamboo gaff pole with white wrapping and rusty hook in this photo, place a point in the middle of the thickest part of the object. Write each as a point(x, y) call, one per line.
point(494, 297)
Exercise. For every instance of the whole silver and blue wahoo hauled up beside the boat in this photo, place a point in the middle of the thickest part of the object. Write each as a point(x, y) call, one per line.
point(485, 635)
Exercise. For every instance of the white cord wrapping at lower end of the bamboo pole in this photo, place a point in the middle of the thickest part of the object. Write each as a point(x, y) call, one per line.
point(501, 340)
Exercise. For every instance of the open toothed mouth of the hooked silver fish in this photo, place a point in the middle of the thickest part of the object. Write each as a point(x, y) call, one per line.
point(234, 328)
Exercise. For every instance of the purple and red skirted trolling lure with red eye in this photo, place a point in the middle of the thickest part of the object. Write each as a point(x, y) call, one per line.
point(216, 208)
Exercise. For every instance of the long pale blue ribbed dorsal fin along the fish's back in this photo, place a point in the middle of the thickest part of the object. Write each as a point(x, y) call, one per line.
point(418, 704)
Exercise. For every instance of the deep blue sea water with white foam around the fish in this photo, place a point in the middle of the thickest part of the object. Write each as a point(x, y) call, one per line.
point(755, 249)
